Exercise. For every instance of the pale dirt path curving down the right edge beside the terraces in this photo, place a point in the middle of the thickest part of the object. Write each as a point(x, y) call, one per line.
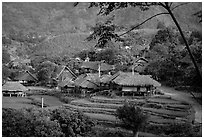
point(179, 95)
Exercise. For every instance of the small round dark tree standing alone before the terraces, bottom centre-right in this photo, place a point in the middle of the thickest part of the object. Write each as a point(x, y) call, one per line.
point(133, 117)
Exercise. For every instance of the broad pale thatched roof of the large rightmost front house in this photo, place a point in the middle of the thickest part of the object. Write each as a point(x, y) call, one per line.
point(138, 80)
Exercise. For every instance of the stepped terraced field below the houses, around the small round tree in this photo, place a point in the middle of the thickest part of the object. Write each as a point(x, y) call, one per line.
point(161, 109)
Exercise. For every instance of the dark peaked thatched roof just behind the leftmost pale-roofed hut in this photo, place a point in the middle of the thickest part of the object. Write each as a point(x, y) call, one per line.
point(26, 76)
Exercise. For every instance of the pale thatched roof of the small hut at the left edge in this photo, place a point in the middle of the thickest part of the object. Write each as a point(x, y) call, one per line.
point(13, 86)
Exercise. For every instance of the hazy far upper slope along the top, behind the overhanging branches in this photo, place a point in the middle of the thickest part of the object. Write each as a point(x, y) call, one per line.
point(61, 18)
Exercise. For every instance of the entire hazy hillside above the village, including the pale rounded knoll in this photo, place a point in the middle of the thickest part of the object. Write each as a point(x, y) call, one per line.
point(66, 26)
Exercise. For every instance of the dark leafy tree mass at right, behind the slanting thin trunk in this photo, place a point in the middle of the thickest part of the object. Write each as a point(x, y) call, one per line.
point(170, 62)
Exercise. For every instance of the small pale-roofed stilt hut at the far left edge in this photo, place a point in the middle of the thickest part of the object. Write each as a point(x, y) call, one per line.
point(14, 88)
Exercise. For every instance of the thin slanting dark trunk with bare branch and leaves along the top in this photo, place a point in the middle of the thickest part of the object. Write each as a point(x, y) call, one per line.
point(107, 7)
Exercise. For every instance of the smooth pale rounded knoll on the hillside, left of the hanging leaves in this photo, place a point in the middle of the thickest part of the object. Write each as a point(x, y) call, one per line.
point(66, 44)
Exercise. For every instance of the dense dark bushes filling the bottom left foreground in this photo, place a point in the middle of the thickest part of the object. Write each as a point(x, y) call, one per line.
point(35, 122)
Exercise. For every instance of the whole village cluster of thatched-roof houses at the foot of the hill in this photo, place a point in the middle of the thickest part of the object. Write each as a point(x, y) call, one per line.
point(97, 76)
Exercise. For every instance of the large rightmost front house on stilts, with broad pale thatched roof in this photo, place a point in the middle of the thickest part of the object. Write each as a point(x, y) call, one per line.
point(134, 84)
